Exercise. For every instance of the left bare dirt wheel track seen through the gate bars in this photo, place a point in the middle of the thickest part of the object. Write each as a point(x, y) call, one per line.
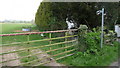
point(9, 56)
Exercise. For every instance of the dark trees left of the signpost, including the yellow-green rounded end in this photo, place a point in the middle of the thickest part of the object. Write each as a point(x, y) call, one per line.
point(52, 15)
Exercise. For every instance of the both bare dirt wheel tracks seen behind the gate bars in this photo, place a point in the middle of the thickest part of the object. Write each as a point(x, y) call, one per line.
point(17, 62)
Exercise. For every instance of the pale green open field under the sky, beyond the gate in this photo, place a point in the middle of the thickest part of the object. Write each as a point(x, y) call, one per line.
point(10, 27)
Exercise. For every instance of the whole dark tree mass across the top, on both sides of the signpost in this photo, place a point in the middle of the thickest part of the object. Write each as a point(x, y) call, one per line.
point(52, 15)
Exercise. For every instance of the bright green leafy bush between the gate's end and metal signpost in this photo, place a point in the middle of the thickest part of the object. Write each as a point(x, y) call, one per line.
point(90, 42)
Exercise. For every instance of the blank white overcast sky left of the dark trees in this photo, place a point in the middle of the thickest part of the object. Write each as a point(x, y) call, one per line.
point(18, 9)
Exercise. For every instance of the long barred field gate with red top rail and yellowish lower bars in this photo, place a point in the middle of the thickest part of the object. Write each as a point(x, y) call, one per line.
point(25, 49)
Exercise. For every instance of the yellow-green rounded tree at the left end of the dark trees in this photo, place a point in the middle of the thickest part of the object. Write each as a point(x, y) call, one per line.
point(45, 18)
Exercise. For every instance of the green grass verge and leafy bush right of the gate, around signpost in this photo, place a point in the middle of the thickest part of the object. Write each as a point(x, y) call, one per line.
point(93, 55)
